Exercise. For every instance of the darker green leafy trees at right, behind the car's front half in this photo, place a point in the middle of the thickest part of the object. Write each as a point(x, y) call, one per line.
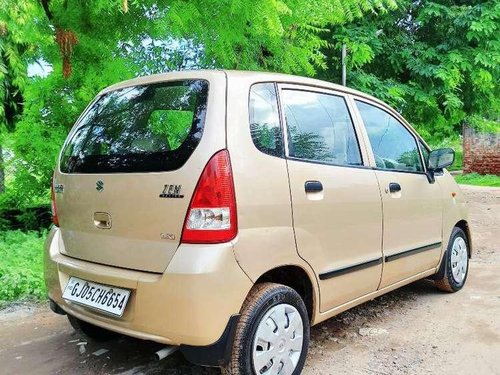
point(437, 61)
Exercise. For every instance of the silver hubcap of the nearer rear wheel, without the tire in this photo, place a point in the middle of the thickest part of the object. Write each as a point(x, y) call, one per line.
point(277, 344)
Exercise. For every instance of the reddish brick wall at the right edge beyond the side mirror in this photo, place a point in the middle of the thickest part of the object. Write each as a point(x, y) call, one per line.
point(481, 152)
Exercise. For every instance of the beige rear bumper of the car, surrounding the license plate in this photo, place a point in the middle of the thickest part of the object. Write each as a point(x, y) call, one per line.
point(190, 304)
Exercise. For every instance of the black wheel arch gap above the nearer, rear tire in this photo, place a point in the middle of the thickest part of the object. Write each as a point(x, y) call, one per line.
point(296, 278)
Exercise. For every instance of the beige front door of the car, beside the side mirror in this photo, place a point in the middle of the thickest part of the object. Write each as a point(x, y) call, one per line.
point(412, 206)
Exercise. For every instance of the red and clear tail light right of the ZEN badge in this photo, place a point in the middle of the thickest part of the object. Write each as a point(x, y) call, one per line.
point(211, 216)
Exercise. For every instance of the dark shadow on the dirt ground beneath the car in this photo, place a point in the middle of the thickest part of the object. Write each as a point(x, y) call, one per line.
point(128, 356)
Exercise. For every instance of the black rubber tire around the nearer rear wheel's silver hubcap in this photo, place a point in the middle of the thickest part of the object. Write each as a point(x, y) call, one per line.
point(261, 299)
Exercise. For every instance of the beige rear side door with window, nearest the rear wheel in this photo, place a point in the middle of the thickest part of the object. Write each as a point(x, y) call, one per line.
point(337, 211)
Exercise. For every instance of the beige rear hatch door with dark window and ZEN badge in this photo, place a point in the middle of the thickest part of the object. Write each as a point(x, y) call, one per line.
point(130, 166)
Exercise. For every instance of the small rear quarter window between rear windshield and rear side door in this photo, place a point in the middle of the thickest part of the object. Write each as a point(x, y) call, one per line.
point(264, 119)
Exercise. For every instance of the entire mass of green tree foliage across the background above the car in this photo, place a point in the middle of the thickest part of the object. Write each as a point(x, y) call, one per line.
point(437, 61)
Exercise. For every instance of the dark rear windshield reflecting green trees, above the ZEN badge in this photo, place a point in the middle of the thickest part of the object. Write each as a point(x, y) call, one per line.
point(148, 128)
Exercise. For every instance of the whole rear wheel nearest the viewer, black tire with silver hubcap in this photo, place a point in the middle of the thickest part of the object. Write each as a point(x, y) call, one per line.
point(272, 336)
